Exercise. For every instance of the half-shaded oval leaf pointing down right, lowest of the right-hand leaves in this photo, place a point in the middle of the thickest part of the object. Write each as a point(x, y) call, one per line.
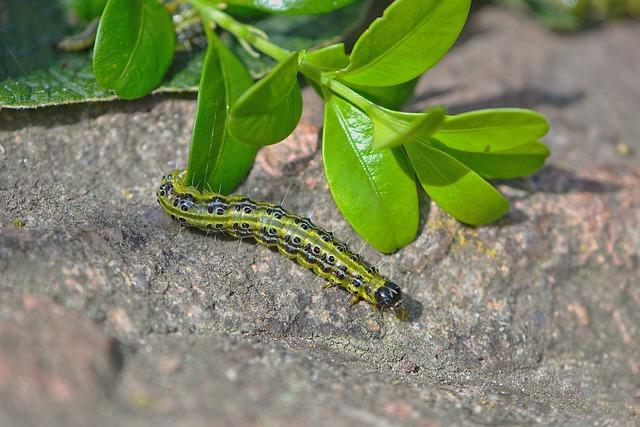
point(457, 189)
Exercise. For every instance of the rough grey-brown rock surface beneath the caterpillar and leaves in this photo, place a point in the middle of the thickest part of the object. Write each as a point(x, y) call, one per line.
point(111, 315)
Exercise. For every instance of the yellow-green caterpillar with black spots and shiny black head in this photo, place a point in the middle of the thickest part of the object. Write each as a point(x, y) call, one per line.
point(293, 236)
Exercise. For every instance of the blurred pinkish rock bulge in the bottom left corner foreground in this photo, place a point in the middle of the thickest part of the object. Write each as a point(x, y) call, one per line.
point(54, 364)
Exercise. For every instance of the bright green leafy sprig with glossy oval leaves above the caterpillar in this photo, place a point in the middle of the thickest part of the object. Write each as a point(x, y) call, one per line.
point(372, 152)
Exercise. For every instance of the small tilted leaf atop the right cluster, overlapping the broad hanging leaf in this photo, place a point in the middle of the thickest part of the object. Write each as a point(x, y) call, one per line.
point(393, 128)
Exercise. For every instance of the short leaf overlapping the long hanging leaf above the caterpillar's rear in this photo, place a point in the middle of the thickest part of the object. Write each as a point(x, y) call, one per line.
point(270, 110)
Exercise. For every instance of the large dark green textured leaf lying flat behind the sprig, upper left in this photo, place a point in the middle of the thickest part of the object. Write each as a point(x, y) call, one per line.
point(33, 73)
